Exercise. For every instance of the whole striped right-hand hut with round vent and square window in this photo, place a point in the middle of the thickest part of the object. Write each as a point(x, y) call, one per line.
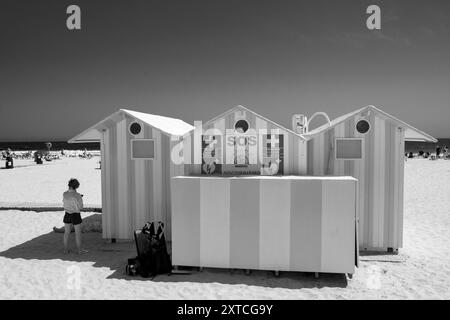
point(367, 144)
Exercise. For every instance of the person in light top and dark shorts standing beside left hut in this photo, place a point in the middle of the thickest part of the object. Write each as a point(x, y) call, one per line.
point(73, 203)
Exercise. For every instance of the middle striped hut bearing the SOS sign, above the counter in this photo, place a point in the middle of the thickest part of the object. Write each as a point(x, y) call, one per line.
point(242, 142)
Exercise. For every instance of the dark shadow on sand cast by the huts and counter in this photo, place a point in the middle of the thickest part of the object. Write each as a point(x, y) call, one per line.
point(114, 256)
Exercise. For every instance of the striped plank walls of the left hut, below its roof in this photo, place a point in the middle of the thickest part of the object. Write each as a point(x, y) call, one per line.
point(135, 191)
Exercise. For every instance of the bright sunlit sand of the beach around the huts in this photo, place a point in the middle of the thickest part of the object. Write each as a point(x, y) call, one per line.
point(34, 267)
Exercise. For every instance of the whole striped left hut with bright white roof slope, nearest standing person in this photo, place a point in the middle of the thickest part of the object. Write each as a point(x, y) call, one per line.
point(136, 169)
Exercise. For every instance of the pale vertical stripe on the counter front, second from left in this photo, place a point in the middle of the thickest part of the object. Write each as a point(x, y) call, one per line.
point(215, 223)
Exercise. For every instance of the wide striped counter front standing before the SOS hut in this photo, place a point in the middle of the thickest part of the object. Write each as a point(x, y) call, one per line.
point(281, 223)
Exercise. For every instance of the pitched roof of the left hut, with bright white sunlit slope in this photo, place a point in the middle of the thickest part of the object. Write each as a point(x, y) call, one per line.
point(167, 125)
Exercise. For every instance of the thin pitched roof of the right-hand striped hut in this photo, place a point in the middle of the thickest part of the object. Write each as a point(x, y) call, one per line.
point(411, 133)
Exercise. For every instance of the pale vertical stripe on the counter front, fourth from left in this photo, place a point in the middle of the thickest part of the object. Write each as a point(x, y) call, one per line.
point(274, 230)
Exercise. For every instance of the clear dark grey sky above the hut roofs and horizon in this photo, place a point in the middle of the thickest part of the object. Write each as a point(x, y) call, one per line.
point(194, 59)
